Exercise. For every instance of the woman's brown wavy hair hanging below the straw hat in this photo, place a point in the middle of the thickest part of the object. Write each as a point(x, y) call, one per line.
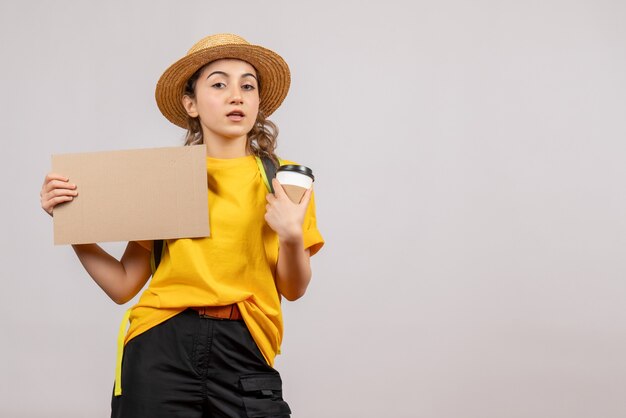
point(261, 140)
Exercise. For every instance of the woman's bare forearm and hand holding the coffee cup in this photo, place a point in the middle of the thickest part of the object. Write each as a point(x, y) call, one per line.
point(293, 271)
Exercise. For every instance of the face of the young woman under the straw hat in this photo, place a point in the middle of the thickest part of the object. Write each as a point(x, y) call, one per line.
point(226, 100)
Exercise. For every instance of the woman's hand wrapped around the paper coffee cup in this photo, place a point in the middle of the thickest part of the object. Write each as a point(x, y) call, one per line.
point(284, 216)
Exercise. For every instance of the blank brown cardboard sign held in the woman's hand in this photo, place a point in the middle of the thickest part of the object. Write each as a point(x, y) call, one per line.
point(133, 195)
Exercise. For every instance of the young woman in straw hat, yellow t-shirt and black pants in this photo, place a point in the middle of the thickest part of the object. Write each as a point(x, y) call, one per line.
point(203, 336)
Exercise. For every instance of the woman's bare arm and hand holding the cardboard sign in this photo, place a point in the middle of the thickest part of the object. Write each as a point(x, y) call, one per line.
point(120, 280)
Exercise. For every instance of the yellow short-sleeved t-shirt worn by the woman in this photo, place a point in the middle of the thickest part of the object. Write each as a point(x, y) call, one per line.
point(236, 264)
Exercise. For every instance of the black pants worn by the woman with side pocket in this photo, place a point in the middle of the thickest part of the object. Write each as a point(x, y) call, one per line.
point(190, 366)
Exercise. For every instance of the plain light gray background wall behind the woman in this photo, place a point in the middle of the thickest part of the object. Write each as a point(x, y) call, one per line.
point(470, 185)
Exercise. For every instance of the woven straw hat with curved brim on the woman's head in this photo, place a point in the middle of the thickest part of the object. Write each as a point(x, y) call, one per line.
point(273, 72)
